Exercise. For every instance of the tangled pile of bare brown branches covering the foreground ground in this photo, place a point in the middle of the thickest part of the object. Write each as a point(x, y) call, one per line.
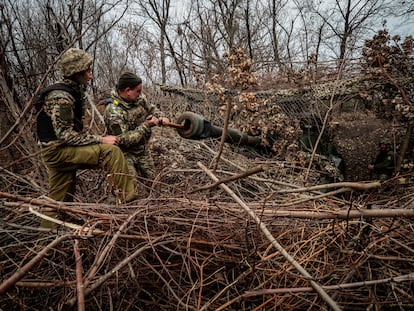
point(175, 249)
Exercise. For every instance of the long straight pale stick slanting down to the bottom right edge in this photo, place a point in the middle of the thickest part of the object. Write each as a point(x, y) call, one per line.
point(272, 240)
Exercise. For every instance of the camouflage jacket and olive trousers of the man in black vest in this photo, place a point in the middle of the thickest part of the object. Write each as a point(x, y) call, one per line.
point(78, 150)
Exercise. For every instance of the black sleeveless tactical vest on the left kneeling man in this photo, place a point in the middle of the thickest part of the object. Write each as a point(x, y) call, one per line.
point(45, 130)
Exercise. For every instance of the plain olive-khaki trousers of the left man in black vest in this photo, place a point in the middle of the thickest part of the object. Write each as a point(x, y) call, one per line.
point(62, 163)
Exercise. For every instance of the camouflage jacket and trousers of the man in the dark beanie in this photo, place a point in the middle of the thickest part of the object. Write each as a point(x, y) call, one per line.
point(126, 120)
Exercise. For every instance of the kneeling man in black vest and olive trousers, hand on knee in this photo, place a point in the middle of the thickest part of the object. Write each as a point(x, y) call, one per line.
point(65, 146)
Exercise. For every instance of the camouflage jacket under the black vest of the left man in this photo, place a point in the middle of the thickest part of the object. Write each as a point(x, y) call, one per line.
point(60, 106)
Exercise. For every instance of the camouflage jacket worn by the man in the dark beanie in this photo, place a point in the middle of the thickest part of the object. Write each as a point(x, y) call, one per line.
point(126, 120)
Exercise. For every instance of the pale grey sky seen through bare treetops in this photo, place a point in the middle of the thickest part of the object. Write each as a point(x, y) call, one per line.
point(279, 35)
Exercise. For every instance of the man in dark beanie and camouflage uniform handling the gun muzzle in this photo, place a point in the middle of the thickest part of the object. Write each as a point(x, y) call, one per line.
point(130, 116)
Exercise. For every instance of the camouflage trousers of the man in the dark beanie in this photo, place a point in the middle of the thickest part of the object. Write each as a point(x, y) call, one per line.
point(141, 164)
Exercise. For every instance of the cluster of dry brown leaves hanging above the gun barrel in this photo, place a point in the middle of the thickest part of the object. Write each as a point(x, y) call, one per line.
point(250, 114)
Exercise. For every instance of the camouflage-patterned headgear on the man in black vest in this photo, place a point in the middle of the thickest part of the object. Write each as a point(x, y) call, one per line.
point(74, 61)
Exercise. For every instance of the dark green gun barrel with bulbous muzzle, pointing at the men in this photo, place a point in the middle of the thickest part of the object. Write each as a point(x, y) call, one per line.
point(194, 126)
